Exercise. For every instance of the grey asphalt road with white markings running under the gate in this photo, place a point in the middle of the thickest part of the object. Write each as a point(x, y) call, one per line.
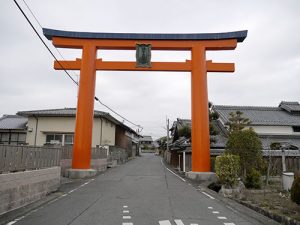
point(140, 192)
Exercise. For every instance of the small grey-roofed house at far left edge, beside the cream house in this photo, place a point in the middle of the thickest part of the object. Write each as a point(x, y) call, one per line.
point(13, 130)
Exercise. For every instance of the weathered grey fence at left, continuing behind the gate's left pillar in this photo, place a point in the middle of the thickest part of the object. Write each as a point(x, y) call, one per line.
point(21, 158)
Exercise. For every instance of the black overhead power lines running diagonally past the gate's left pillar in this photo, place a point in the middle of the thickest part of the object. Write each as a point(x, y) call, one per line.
point(97, 99)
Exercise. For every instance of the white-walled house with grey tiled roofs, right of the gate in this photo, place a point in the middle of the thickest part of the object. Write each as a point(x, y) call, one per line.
point(272, 124)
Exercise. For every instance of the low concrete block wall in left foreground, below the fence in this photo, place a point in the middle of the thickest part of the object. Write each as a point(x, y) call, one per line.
point(21, 188)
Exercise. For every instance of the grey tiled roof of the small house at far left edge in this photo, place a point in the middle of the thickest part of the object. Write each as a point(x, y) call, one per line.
point(13, 122)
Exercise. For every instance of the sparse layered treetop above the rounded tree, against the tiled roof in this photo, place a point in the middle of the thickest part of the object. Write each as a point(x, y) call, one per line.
point(237, 121)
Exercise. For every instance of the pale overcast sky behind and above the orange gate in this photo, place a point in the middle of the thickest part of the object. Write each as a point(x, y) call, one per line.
point(267, 62)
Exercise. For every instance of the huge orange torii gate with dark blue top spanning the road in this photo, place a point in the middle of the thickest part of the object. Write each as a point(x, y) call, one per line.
point(198, 44)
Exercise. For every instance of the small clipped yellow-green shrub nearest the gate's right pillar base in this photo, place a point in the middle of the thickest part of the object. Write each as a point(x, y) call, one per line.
point(227, 169)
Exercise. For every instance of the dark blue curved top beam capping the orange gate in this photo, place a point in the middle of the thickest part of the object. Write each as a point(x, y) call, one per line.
point(239, 35)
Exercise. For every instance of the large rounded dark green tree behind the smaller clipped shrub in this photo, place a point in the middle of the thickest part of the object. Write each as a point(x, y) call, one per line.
point(247, 145)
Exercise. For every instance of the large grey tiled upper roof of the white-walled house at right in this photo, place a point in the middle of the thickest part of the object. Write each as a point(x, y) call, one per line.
point(276, 116)
